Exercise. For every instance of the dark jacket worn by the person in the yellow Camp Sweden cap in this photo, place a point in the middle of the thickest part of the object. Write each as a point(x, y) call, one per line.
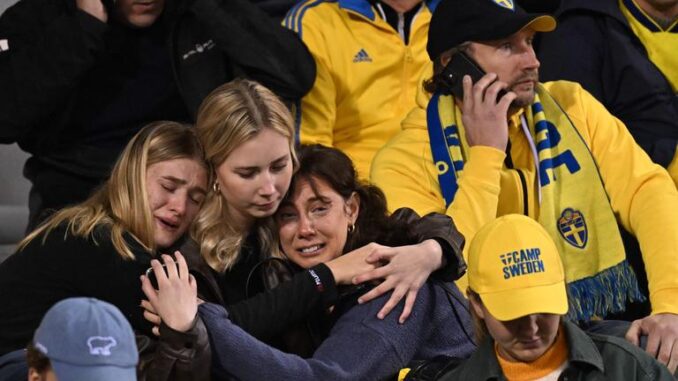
point(591, 358)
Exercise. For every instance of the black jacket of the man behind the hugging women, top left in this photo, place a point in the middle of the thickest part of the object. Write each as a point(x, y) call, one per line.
point(56, 50)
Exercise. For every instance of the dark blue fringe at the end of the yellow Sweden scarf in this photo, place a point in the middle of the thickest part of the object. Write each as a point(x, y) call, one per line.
point(606, 292)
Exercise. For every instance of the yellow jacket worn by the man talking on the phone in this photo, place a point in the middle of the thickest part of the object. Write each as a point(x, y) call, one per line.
point(642, 195)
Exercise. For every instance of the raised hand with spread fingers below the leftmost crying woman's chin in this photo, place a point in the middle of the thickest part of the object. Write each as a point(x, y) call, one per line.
point(176, 299)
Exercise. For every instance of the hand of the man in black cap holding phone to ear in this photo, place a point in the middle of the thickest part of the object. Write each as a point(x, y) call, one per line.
point(485, 118)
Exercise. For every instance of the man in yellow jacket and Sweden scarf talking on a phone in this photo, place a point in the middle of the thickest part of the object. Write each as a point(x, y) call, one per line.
point(570, 165)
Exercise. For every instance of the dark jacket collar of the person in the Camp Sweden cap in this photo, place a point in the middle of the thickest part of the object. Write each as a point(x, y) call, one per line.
point(581, 350)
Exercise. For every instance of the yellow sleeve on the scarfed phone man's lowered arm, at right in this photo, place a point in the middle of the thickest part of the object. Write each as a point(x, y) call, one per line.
point(642, 195)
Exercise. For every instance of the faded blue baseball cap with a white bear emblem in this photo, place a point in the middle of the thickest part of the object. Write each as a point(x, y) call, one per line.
point(88, 339)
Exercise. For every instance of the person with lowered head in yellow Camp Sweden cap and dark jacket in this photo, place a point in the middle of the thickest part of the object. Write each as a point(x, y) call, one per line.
point(518, 299)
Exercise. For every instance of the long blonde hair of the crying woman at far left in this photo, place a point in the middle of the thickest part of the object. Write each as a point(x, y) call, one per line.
point(121, 203)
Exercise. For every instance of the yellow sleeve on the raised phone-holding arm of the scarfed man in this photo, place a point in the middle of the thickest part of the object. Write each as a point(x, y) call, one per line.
point(404, 170)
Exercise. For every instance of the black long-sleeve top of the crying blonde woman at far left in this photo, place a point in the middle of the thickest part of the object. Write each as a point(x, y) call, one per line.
point(35, 278)
